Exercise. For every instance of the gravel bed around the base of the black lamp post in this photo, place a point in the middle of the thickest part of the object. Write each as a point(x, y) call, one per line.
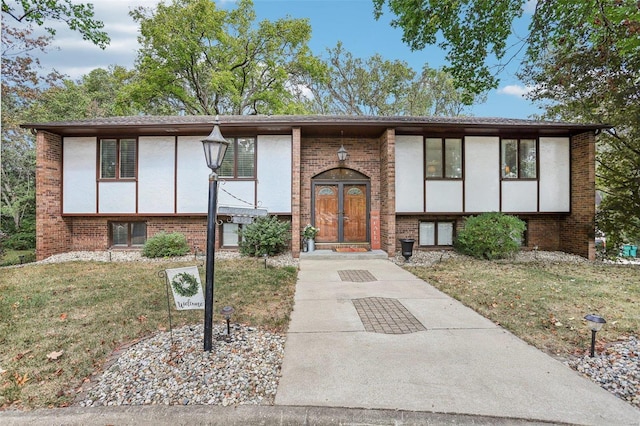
point(244, 369)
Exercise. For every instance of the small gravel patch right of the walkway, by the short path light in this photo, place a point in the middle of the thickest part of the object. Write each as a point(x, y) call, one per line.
point(616, 369)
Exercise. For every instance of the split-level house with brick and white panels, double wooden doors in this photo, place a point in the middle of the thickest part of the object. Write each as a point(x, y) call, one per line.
point(111, 183)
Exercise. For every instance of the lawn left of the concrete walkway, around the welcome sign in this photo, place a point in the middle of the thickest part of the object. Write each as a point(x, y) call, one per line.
point(83, 311)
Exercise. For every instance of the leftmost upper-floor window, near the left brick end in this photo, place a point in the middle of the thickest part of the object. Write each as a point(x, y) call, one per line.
point(118, 158)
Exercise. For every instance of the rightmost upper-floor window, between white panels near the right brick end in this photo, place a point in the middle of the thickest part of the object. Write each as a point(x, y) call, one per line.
point(518, 158)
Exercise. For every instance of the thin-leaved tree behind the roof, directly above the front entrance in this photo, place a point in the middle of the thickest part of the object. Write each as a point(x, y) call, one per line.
point(375, 86)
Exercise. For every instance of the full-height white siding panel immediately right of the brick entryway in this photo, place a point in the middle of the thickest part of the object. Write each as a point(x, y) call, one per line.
point(409, 174)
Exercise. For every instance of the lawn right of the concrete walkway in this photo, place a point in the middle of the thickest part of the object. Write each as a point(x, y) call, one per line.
point(545, 303)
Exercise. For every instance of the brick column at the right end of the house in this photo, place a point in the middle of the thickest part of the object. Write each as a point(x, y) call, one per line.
point(578, 229)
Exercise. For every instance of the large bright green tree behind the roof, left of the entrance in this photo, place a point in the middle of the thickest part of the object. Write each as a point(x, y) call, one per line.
point(201, 60)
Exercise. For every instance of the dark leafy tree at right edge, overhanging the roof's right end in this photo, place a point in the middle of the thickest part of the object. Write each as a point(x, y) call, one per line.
point(591, 73)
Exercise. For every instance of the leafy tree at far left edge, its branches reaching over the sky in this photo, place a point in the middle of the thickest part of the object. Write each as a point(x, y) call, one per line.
point(22, 85)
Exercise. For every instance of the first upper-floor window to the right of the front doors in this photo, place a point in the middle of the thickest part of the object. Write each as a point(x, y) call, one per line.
point(443, 158)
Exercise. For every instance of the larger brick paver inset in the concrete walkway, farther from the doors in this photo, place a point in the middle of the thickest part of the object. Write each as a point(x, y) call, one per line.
point(387, 316)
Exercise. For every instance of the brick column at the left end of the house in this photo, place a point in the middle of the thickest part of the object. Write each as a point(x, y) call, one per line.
point(53, 232)
